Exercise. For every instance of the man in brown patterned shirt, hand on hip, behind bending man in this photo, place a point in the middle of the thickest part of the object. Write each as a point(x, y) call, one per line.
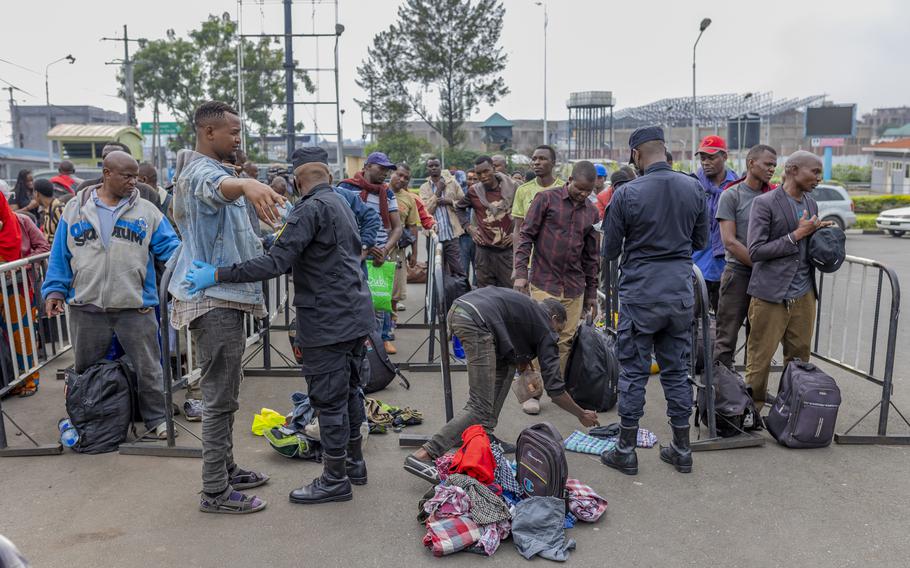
point(491, 201)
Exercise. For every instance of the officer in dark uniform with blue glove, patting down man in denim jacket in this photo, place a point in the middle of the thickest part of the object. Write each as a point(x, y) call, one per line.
point(320, 244)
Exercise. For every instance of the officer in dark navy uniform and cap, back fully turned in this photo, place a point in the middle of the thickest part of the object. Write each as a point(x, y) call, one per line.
point(655, 222)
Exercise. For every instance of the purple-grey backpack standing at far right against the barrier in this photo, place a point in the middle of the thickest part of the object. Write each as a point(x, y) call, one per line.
point(805, 411)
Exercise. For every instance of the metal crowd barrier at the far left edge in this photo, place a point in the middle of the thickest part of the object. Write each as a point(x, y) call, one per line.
point(31, 340)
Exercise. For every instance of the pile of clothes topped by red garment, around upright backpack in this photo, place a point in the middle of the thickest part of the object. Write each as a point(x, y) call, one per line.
point(479, 503)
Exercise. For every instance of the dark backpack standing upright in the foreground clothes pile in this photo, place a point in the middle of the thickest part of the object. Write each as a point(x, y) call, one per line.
point(541, 457)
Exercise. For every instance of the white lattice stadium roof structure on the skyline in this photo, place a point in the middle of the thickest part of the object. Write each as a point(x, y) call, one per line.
point(714, 108)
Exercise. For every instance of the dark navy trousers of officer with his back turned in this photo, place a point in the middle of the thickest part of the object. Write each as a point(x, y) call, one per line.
point(665, 327)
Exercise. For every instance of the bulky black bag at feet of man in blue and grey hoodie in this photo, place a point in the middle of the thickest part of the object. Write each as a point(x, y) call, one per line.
point(100, 406)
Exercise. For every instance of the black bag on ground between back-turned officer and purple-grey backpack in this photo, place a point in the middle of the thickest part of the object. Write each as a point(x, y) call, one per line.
point(734, 409)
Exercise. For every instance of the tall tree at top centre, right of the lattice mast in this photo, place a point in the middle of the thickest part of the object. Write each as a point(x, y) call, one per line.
point(446, 49)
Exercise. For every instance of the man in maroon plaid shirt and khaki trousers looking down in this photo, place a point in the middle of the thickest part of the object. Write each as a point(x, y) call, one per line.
point(559, 229)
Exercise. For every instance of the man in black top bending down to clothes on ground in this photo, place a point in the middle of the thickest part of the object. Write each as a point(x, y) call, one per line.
point(500, 329)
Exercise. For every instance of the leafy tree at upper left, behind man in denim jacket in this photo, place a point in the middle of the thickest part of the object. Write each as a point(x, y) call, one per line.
point(181, 73)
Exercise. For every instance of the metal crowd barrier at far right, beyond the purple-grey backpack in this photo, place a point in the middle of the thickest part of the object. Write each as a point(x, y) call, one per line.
point(848, 335)
